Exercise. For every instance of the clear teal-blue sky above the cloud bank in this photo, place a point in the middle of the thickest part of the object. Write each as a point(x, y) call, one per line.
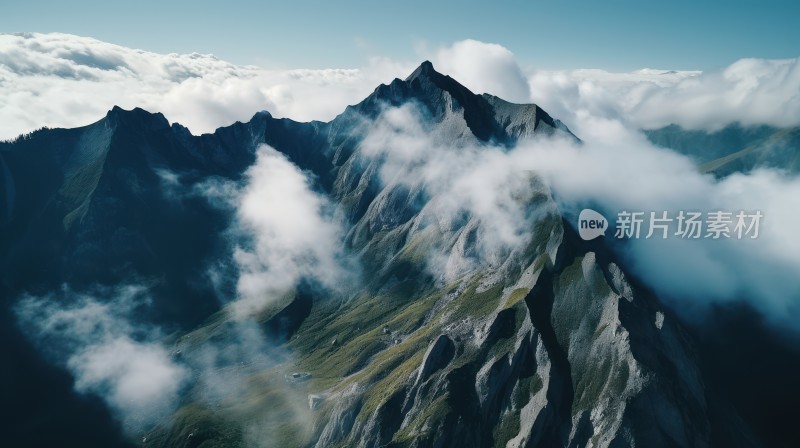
point(610, 34)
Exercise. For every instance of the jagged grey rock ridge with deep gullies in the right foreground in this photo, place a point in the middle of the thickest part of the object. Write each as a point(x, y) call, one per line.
point(553, 348)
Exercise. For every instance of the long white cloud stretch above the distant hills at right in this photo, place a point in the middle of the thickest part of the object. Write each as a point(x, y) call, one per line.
point(750, 92)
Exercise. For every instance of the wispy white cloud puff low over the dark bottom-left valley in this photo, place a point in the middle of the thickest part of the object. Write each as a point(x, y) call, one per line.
point(111, 353)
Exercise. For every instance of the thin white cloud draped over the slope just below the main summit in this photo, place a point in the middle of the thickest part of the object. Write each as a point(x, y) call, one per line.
point(461, 178)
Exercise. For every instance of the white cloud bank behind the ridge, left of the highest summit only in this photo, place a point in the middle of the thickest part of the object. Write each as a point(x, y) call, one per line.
point(62, 80)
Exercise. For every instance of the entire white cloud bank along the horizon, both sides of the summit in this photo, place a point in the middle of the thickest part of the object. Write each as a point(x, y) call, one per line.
point(61, 80)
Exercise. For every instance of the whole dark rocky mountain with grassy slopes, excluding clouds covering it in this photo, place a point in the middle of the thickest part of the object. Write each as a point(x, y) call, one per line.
point(542, 345)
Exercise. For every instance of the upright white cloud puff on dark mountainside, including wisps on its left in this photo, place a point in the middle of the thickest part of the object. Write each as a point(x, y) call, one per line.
point(283, 233)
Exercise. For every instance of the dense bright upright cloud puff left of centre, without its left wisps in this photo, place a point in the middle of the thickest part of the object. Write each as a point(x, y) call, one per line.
point(291, 232)
